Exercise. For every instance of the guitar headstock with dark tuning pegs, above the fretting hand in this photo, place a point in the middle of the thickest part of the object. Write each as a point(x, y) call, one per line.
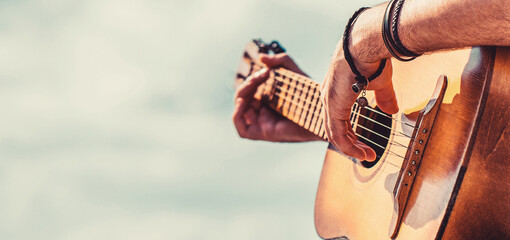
point(250, 61)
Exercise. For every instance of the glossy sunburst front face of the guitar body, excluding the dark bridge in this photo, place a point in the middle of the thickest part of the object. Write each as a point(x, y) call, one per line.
point(356, 203)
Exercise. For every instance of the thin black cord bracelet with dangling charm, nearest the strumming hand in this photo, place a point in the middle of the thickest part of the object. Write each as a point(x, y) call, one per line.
point(361, 81)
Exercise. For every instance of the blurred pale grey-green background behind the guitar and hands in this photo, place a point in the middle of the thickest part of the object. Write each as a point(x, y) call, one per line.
point(115, 119)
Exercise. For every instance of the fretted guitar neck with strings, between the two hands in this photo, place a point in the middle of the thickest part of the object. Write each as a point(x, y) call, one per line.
point(295, 97)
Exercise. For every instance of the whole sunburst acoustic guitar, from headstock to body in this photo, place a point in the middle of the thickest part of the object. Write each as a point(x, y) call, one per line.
point(443, 167)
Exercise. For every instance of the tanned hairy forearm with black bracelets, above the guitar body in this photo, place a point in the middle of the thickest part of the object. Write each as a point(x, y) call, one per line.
point(431, 25)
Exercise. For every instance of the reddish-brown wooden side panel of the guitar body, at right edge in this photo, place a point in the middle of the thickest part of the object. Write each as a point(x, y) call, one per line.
point(482, 208)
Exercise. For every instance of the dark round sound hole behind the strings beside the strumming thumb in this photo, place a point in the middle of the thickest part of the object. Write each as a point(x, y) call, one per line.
point(376, 132)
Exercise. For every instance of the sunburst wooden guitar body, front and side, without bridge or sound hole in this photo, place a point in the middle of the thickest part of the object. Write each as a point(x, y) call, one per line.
point(462, 187)
